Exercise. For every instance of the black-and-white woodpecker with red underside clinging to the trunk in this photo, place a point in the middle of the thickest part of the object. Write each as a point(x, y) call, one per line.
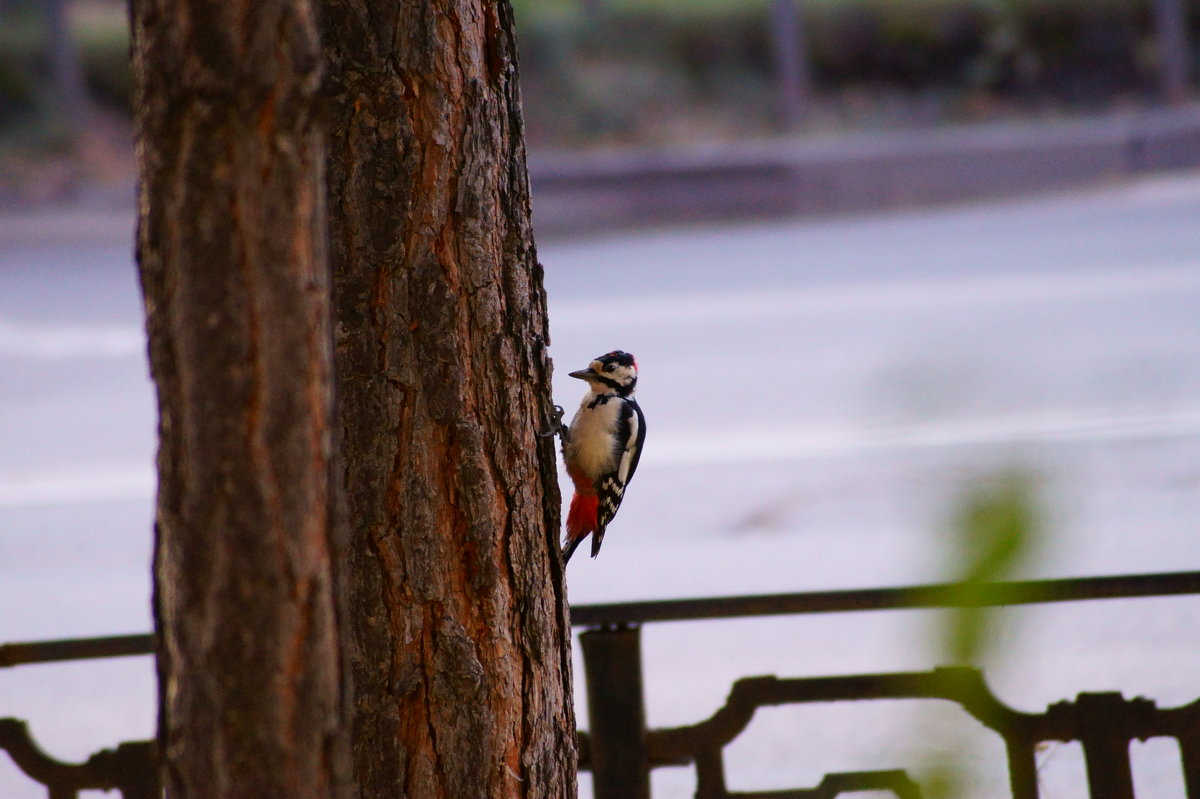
point(602, 448)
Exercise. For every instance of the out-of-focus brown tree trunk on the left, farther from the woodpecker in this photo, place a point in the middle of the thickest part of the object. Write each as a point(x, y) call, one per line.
point(236, 278)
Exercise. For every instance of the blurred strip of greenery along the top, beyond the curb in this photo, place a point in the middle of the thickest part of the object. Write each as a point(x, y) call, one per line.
point(602, 74)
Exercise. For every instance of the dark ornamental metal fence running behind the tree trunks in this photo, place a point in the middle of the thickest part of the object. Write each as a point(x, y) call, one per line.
point(621, 752)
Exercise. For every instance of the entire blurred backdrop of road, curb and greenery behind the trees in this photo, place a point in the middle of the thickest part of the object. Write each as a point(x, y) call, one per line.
point(869, 255)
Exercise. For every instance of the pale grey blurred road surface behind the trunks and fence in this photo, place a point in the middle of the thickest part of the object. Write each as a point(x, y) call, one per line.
point(818, 393)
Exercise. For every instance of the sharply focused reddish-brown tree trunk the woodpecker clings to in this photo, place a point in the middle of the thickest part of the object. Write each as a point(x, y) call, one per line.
point(461, 644)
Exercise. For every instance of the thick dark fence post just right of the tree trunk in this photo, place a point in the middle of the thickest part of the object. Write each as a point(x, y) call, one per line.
point(613, 660)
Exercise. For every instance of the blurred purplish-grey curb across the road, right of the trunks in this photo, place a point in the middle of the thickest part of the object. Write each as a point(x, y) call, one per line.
point(581, 193)
